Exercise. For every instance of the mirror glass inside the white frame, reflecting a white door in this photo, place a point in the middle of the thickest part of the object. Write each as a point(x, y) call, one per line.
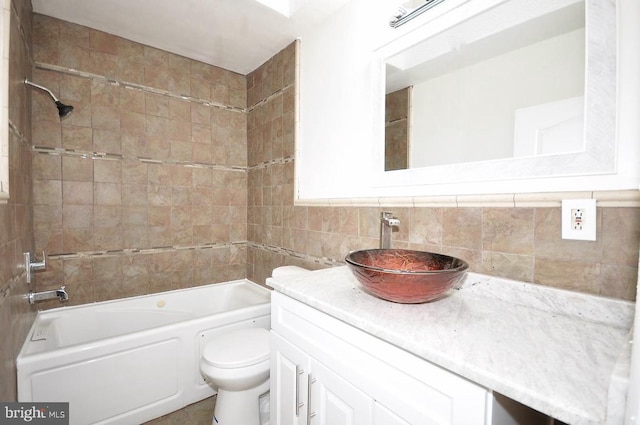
point(503, 84)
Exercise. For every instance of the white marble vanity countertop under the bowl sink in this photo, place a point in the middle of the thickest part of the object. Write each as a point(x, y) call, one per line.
point(556, 351)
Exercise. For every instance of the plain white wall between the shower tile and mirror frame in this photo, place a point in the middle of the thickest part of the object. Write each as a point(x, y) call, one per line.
point(334, 140)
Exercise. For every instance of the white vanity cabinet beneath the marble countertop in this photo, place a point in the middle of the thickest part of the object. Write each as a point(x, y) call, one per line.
point(324, 371)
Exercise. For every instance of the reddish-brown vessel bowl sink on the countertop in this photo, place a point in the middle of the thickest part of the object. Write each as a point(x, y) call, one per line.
point(406, 276)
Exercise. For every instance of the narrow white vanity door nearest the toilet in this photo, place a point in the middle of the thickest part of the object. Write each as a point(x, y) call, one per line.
point(289, 376)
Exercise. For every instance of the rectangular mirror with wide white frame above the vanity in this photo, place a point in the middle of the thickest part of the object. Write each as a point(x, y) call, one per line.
point(505, 97)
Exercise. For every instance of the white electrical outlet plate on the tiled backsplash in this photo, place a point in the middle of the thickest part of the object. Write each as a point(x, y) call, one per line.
point(579, 219)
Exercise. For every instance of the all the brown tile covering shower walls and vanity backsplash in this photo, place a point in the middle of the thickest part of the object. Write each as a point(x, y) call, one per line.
point(171, 173)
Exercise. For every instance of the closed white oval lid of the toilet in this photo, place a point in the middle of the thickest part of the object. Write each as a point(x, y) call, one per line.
point(239, 348)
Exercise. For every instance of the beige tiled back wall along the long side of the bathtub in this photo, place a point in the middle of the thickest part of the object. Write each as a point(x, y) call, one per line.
point(143, 188)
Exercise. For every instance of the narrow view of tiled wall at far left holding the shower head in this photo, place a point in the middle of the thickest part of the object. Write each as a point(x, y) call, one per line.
point(16, 218)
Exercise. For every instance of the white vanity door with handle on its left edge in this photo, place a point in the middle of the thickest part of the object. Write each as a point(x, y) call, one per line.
point(334, 401)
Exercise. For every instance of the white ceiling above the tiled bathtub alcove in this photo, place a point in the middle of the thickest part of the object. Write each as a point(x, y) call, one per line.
point(238, 35)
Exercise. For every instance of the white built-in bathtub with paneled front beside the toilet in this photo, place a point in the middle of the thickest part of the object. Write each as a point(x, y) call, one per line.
point(129, 361)
